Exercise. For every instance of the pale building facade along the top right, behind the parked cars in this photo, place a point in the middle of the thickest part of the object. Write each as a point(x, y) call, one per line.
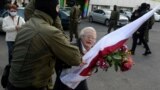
point(122, 4)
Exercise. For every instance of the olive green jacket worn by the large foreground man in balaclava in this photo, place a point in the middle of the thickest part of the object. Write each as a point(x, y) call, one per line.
point(37, 47)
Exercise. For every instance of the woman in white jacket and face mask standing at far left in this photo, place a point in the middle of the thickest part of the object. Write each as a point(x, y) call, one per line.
point(11, 25)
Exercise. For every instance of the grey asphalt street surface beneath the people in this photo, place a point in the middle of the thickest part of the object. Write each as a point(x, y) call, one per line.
point(144, 75)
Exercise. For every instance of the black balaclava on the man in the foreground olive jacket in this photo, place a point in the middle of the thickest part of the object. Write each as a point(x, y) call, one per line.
point(47, 6)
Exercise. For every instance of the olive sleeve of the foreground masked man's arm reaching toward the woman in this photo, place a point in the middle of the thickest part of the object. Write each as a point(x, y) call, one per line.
point(61, 47)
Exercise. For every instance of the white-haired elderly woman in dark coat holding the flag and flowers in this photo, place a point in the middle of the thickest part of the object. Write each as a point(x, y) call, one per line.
point(85, 42)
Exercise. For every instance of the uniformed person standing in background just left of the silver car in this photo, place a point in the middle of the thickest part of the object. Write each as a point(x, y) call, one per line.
point(74, 18)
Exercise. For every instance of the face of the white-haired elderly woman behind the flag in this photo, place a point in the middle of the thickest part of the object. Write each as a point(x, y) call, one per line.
point(89, 39)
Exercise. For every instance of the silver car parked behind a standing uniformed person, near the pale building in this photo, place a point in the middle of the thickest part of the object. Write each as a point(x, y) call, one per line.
point(103, 16)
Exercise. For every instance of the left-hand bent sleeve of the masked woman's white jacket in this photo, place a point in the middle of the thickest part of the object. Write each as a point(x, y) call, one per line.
point(6, 27)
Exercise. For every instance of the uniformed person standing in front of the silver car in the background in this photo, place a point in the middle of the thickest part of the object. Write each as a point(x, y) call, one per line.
point(113, 19)
